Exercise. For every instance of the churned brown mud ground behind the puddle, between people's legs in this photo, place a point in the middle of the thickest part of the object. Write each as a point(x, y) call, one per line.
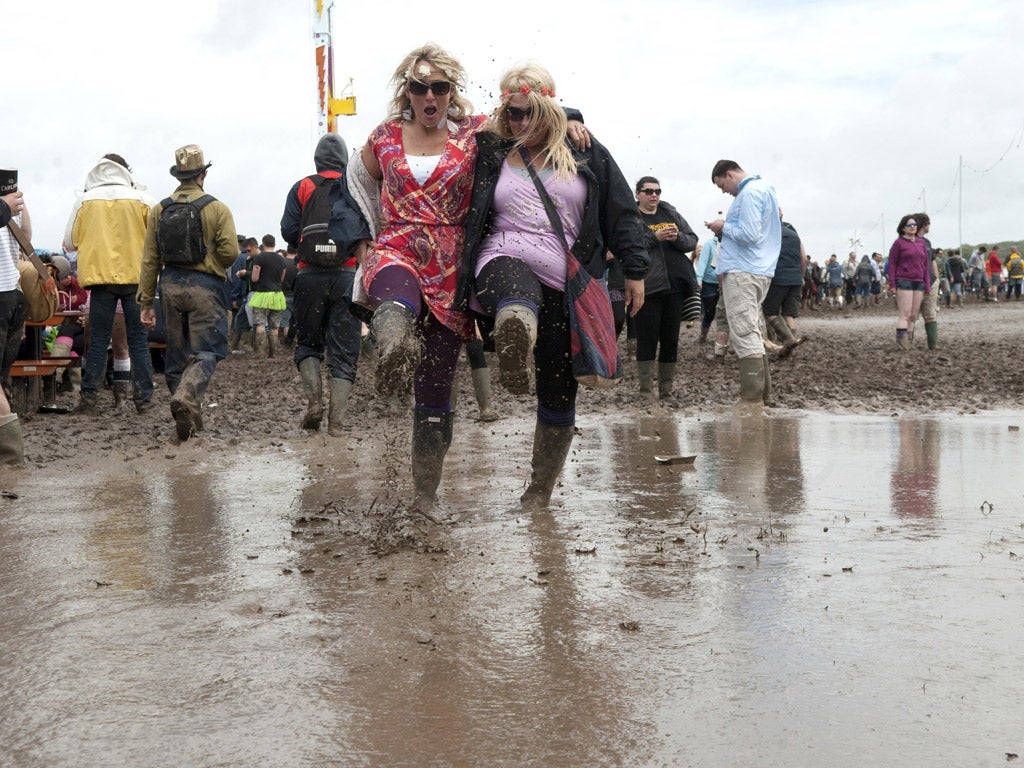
point(850, 364)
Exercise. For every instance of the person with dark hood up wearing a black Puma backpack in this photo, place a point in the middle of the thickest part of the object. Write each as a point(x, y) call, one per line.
point(324, 283)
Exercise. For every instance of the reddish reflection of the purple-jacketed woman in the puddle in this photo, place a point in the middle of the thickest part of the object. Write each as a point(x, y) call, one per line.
point(914, 477)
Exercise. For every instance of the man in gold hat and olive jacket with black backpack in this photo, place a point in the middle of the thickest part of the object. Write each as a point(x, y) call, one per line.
point(190, 243)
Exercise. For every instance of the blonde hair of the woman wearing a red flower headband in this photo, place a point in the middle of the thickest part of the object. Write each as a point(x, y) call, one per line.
point(548, 119)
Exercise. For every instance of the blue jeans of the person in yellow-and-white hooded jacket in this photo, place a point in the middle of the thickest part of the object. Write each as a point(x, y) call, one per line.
point(103, 307)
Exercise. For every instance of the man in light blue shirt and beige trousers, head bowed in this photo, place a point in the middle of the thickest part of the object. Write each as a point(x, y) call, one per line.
point(752, 237)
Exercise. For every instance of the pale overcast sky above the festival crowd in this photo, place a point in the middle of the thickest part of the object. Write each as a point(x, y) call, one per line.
point(857, 112)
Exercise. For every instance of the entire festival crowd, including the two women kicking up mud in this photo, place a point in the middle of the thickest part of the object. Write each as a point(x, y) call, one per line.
point(450, 230)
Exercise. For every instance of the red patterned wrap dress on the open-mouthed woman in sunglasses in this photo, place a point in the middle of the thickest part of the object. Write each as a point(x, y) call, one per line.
point(422, 228)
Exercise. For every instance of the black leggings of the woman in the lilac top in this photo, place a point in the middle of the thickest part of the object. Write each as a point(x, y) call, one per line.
point(506, 281)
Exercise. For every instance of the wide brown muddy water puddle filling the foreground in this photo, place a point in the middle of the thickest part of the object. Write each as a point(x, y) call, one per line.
point(814, 590)
